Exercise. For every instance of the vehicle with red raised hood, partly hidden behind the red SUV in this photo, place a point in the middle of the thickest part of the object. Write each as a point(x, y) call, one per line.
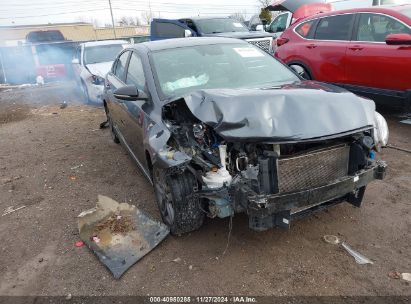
point(291, 11)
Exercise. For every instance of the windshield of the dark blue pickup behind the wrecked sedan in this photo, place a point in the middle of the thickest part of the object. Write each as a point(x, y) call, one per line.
point(222, 25)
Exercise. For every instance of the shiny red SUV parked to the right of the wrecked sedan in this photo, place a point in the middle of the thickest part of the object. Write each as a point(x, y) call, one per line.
point(367, 51)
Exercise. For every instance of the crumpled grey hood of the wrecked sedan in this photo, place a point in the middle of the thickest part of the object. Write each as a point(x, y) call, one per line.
point(302, 111)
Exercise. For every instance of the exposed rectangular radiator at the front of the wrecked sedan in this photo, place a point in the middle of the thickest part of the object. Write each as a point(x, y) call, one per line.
point(313, 169)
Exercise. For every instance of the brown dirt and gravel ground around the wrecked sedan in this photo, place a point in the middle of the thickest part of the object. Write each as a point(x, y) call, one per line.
point(56, 161)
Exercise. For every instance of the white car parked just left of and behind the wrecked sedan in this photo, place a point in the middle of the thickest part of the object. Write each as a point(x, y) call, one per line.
point(91, 63)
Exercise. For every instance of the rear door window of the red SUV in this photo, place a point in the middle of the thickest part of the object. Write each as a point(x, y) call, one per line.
point(335, 28)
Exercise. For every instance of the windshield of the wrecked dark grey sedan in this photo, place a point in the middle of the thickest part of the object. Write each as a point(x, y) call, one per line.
point(182, 70)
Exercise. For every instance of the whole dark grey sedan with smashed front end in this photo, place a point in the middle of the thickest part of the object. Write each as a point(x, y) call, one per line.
point(220, 126)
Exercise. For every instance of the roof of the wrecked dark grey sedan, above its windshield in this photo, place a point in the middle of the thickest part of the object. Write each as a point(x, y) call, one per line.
point(185, 42)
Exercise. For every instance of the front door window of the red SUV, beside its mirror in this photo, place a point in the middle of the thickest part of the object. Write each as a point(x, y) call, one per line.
point(376, 27)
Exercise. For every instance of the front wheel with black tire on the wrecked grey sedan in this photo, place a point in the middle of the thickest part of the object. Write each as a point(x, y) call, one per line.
point(180, 212)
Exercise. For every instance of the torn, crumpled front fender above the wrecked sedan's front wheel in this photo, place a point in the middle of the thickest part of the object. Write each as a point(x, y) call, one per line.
point(162, 155)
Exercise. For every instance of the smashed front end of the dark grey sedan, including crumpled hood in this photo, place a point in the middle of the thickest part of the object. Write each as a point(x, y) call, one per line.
point(274, 154)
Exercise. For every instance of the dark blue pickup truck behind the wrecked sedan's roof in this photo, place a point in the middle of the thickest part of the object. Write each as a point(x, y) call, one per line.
point(210, 27)
